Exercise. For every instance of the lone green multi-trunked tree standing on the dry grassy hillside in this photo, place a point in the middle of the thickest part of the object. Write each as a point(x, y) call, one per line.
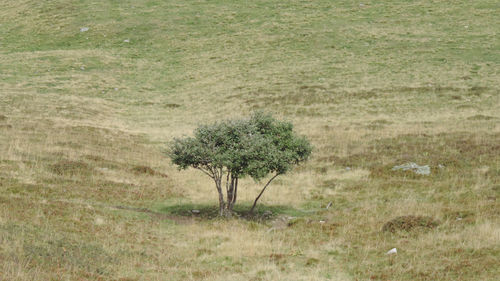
point(232, 149)
